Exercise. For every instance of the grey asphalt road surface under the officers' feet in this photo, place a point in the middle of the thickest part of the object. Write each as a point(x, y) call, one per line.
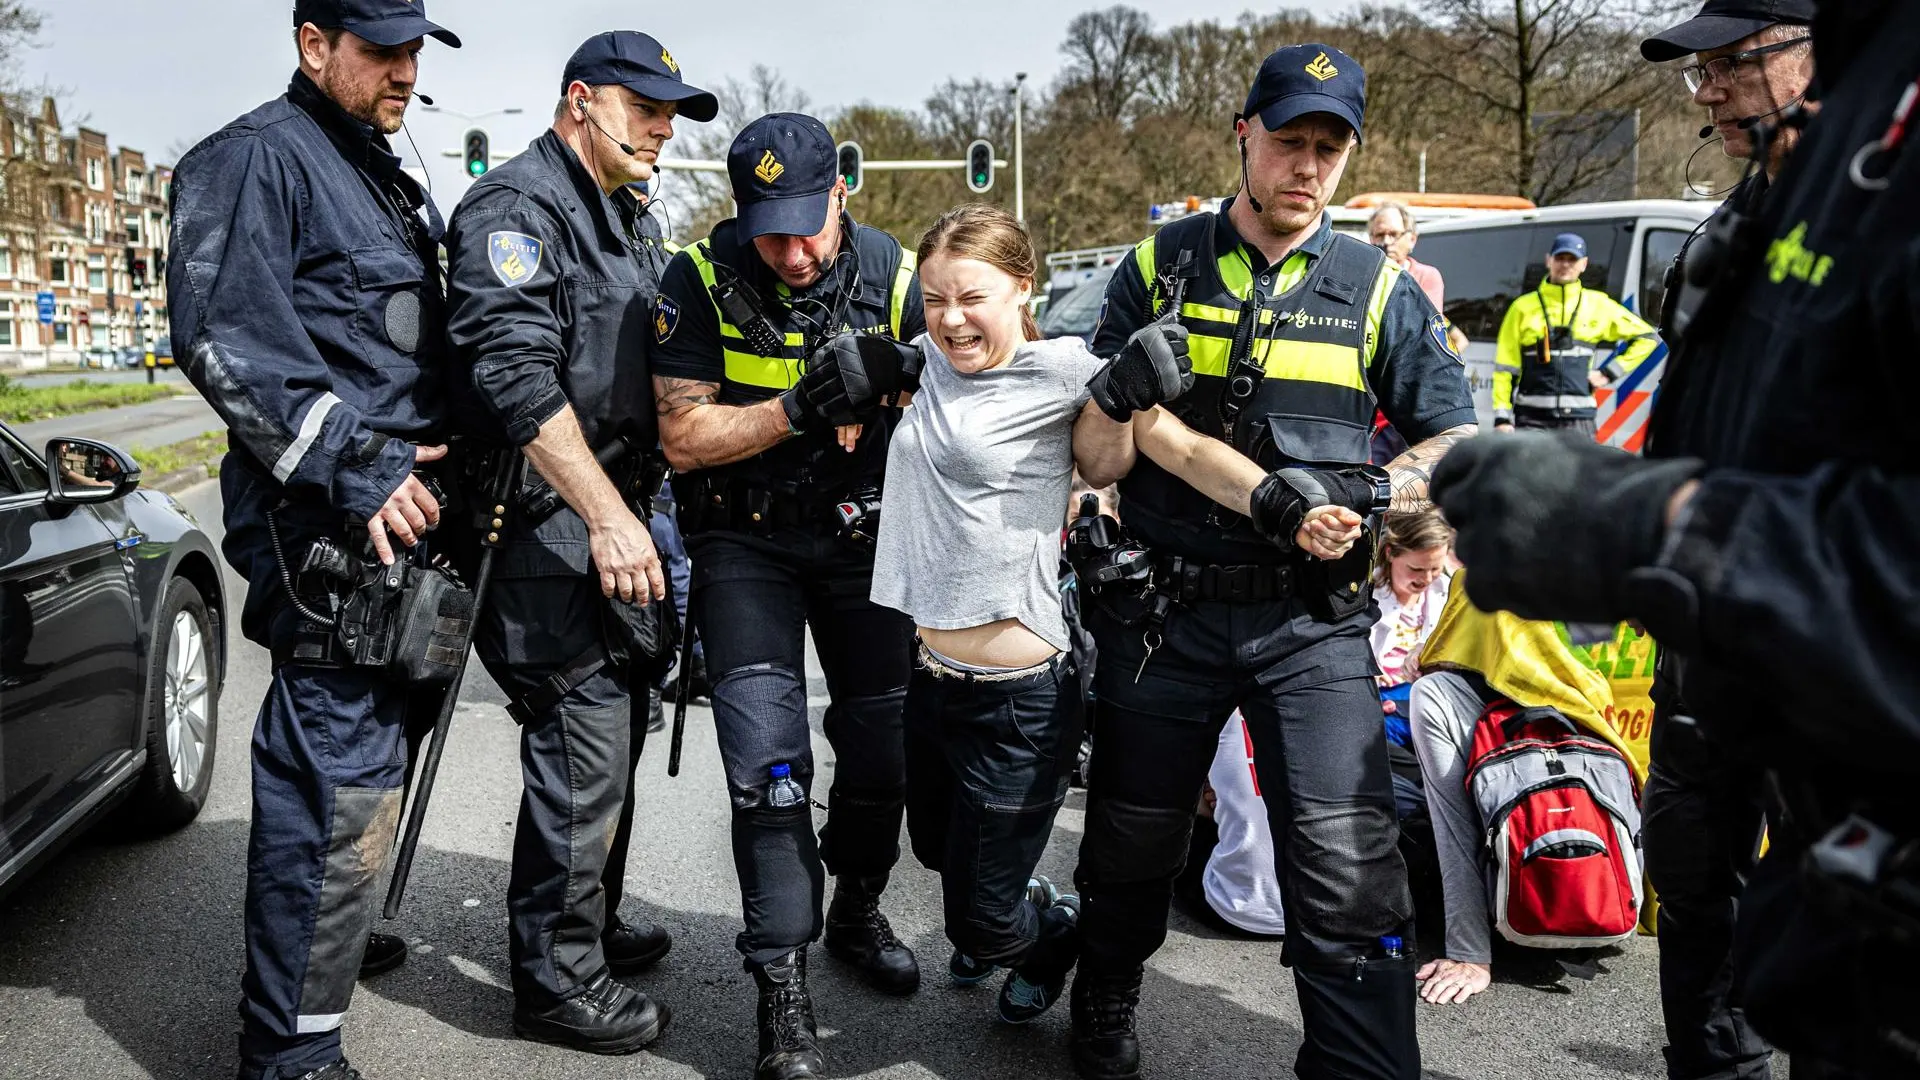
point(124, 960)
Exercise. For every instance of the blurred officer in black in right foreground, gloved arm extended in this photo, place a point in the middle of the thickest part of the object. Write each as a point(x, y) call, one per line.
point(1769, 547)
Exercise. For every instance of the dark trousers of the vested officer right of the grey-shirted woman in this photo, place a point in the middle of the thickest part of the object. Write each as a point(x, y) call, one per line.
point(1320, 747)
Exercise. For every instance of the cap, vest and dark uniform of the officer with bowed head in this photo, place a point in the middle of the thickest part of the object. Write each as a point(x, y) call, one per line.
point(771, 556)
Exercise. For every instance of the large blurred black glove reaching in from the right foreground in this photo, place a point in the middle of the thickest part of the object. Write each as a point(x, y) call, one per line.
point(1554, 526)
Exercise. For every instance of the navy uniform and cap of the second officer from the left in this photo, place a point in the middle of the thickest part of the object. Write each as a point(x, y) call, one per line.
point(552, 287)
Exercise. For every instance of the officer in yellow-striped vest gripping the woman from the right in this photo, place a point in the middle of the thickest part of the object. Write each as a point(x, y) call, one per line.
point(1295, 333)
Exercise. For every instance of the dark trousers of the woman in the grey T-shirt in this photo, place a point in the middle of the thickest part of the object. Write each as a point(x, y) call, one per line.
point(986, 772)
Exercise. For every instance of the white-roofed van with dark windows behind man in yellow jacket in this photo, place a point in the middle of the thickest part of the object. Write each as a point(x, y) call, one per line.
point(1493, 258)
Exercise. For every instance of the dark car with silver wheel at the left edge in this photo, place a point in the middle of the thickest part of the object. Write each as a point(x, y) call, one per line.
point(112, 650)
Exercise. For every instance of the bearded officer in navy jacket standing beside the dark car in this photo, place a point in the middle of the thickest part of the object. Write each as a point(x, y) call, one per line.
point(308, 310)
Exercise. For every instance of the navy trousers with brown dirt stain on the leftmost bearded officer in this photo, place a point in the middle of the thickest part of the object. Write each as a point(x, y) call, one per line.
point(329, 779)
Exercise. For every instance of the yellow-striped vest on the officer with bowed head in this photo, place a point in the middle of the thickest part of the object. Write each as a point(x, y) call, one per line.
point(886, 272)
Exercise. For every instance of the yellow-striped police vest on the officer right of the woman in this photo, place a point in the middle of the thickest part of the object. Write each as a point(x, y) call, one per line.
point(1314, 341)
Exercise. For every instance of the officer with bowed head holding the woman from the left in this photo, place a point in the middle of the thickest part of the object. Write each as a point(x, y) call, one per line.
point(775, 345)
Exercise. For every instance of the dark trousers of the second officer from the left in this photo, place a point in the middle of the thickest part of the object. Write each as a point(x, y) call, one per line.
point(577, 764)
